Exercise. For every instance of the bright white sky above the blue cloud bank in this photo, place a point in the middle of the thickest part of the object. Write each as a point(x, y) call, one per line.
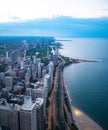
point(23, 10)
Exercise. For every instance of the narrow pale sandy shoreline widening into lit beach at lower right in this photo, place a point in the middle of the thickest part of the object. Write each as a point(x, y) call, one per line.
point(79, 118)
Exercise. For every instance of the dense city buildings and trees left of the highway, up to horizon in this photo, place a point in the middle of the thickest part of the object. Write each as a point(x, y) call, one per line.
point(28, 106)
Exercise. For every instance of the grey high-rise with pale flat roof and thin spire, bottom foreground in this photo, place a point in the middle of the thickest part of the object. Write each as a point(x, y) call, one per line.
point(28, 115)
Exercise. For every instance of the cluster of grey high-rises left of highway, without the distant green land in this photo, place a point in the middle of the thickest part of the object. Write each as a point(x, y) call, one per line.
point(24, 90)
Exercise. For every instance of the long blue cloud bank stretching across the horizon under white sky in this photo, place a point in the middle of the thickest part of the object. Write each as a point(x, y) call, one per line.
point(57, 27)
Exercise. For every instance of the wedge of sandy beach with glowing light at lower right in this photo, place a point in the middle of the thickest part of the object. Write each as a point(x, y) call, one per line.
point(83, 121)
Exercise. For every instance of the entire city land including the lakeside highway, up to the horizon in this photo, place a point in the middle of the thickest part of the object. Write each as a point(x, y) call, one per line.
point(32, 93)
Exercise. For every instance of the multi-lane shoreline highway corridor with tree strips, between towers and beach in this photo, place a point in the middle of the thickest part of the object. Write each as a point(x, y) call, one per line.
point(59, 108)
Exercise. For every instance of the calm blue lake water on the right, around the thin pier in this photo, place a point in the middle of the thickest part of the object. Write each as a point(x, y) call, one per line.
point(88, 82)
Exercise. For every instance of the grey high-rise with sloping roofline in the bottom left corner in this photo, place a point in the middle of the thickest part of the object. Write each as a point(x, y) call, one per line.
point(8, 117)
